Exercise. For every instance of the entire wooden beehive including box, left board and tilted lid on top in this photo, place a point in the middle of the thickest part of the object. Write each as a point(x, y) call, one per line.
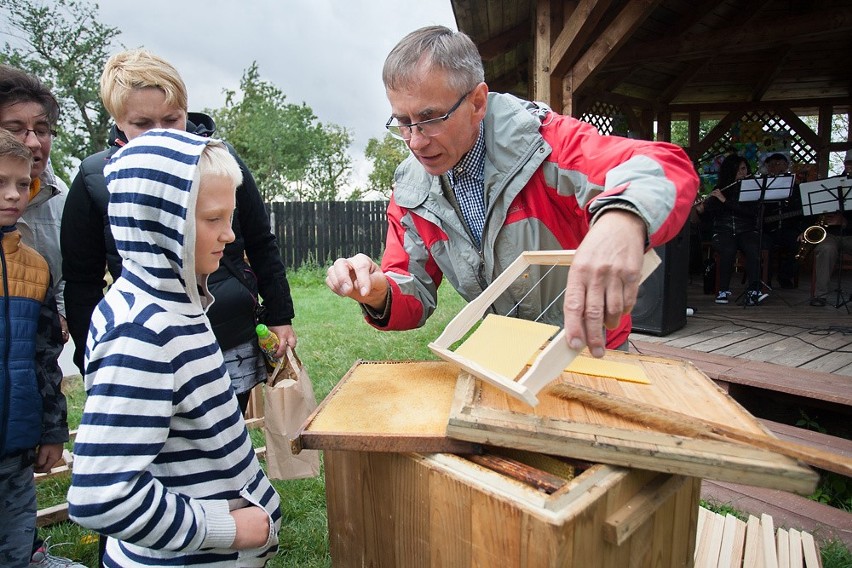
point(401, 492)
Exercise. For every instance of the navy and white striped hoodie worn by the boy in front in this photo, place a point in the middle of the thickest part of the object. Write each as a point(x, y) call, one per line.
point(162, 453)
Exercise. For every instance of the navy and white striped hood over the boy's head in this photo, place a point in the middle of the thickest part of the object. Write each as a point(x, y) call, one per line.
point(153, 183)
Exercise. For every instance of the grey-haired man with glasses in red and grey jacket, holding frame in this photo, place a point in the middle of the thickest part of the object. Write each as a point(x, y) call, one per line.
point(491, 176)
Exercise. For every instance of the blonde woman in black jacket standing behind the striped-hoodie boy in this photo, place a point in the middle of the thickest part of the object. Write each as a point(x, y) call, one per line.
point(142, 91)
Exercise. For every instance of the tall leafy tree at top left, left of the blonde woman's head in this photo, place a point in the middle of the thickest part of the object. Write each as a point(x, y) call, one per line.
point(62, 43)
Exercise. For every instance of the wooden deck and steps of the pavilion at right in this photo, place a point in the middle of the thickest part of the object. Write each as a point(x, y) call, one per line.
point(776, 359)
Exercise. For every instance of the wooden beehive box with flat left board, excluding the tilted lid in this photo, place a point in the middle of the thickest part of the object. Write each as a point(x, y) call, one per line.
point(392, 504)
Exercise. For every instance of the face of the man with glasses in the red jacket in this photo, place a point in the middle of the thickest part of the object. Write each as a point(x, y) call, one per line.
point(430, 96)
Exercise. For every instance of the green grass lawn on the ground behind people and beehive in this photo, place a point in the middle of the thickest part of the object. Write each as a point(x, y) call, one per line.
point(332, 336)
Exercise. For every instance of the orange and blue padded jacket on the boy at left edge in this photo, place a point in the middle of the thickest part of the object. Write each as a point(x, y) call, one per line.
point(32, 406)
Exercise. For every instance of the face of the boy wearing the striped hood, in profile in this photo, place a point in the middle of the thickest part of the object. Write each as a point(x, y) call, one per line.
point(213, 212)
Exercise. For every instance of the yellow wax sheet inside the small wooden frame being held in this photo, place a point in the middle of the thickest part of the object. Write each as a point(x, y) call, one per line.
point(503, 345)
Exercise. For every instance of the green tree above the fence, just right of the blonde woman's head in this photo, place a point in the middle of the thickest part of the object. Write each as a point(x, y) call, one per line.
point(288, 151)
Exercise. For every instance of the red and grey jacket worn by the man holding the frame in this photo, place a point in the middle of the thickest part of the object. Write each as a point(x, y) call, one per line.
point(546, 177)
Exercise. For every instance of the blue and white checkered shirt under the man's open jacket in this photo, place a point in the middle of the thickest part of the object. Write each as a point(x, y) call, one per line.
point(468, 185)
